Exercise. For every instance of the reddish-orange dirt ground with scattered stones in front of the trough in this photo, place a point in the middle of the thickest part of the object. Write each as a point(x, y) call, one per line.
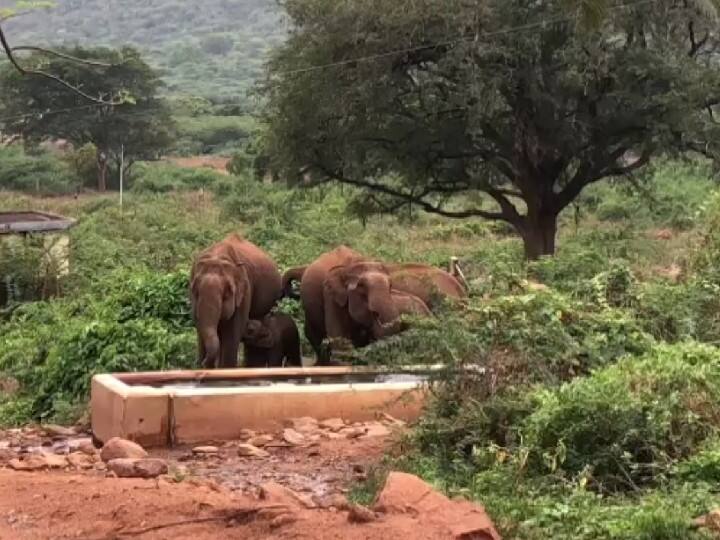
point(202, 497)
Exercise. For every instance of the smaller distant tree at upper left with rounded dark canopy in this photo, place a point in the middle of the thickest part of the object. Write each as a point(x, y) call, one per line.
point(128, 116)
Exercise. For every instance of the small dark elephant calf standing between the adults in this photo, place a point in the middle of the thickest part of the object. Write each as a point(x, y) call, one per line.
point(272, 342)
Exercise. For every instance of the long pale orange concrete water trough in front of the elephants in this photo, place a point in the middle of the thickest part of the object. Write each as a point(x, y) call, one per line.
point(184, 407)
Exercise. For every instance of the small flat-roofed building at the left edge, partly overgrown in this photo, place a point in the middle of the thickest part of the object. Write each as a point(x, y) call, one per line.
point(34, 254)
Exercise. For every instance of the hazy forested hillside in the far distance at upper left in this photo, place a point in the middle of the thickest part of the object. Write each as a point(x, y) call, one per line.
point(213, 48)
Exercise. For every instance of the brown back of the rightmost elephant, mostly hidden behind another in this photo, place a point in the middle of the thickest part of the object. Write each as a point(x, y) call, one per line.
point(428, 283)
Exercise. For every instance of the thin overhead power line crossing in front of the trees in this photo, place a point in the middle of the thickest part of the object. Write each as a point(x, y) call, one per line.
point(378, 56)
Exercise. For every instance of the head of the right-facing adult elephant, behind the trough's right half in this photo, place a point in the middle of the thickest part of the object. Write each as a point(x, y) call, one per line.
point(364, 289)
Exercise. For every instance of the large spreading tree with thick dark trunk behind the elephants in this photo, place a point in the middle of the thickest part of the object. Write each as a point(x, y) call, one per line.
point(508, 103)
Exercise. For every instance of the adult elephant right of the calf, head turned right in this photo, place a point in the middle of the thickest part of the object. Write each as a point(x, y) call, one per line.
point(345, 295)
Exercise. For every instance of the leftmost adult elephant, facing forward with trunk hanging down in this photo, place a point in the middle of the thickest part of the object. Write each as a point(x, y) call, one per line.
point(231, 282)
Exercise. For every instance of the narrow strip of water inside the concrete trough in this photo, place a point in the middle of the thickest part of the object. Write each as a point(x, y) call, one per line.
point(350, 378)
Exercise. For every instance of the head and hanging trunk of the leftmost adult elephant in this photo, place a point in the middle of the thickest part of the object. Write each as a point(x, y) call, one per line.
point(220, 292)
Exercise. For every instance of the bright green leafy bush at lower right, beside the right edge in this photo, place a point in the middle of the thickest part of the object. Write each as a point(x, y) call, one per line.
point(627, 424)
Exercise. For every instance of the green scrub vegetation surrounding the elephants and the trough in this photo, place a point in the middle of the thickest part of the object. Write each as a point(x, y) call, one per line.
point(598, 417)
